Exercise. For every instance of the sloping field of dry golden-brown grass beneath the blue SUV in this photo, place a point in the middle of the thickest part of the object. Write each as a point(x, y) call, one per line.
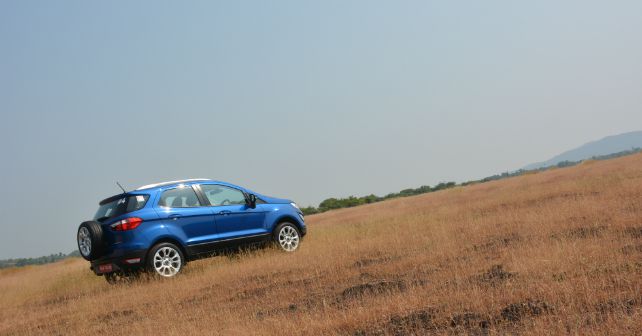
point(559, 252)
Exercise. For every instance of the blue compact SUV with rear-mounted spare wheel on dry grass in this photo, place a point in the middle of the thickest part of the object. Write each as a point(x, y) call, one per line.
point(160, 227)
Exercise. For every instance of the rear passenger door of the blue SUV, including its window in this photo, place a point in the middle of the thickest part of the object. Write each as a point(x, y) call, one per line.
point(183, 211)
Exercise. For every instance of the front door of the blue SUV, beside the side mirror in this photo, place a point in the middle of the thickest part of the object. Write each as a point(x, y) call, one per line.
point(233, 217)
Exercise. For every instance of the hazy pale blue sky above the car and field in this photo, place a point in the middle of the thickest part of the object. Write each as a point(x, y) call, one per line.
point(303, 100)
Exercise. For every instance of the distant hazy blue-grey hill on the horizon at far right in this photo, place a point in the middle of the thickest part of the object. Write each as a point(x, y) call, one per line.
point(608, 145)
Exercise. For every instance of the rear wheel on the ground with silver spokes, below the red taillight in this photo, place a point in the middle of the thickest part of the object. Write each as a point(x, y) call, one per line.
point(165, 260)
